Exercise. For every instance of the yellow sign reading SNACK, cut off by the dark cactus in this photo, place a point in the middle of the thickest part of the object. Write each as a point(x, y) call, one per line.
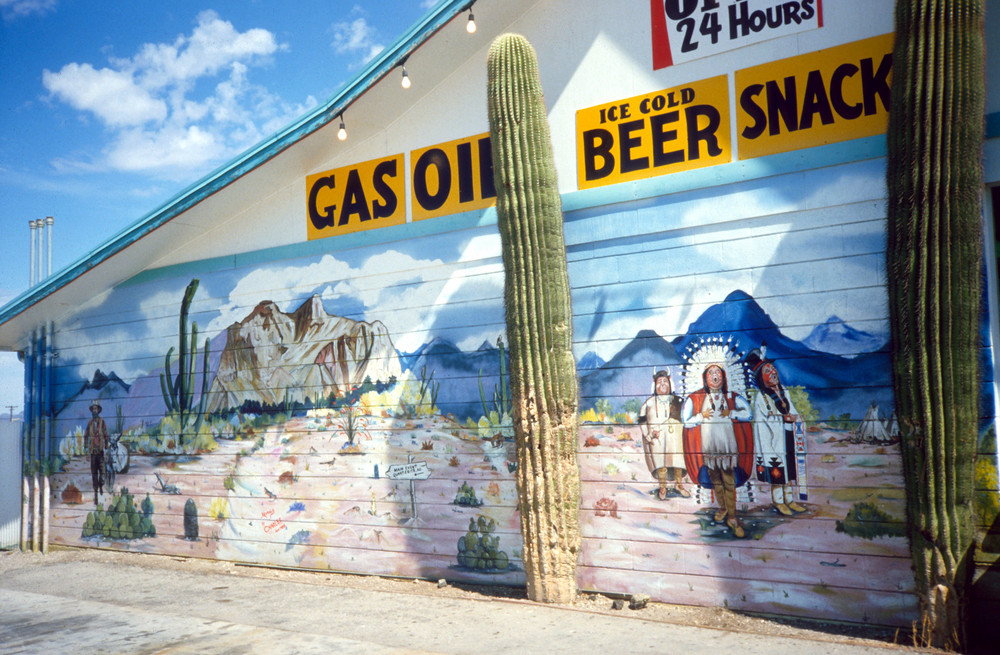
point(818, 98)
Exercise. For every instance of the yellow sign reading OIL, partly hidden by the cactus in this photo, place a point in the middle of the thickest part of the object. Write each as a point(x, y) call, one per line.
point(452, 177)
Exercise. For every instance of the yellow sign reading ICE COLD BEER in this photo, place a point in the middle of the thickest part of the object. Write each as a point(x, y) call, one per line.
point(666, 131)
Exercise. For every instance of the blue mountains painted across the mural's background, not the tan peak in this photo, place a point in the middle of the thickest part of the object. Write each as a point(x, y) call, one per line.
point(836, 384)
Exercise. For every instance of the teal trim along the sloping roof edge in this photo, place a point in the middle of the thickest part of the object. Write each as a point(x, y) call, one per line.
point(222, 177)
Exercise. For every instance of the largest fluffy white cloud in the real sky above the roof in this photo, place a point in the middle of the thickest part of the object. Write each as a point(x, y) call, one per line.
point(160, 119)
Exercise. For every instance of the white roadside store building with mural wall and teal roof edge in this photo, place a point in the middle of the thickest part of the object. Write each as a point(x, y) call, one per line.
point(304, 352)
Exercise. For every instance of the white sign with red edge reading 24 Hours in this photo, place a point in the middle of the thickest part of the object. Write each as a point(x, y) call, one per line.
point(690, 29)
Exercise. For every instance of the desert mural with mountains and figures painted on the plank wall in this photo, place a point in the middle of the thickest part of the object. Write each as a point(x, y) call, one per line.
point(349, 410)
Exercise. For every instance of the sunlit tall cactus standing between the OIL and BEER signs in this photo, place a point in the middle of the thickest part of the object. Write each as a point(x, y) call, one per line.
point(543, 382)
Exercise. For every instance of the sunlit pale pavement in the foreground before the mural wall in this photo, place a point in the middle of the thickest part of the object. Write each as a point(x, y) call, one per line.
point(94, 607)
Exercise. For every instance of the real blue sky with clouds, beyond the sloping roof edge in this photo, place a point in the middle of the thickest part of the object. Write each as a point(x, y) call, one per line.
point(111, 108)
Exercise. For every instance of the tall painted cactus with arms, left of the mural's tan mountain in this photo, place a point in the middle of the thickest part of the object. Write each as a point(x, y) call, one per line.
point(178, 394)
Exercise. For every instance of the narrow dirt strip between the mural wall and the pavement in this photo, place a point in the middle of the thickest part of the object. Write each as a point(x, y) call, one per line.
point(587, 602)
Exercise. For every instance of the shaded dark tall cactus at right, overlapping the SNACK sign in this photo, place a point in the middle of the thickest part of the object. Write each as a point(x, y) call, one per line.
point(934, 257)
